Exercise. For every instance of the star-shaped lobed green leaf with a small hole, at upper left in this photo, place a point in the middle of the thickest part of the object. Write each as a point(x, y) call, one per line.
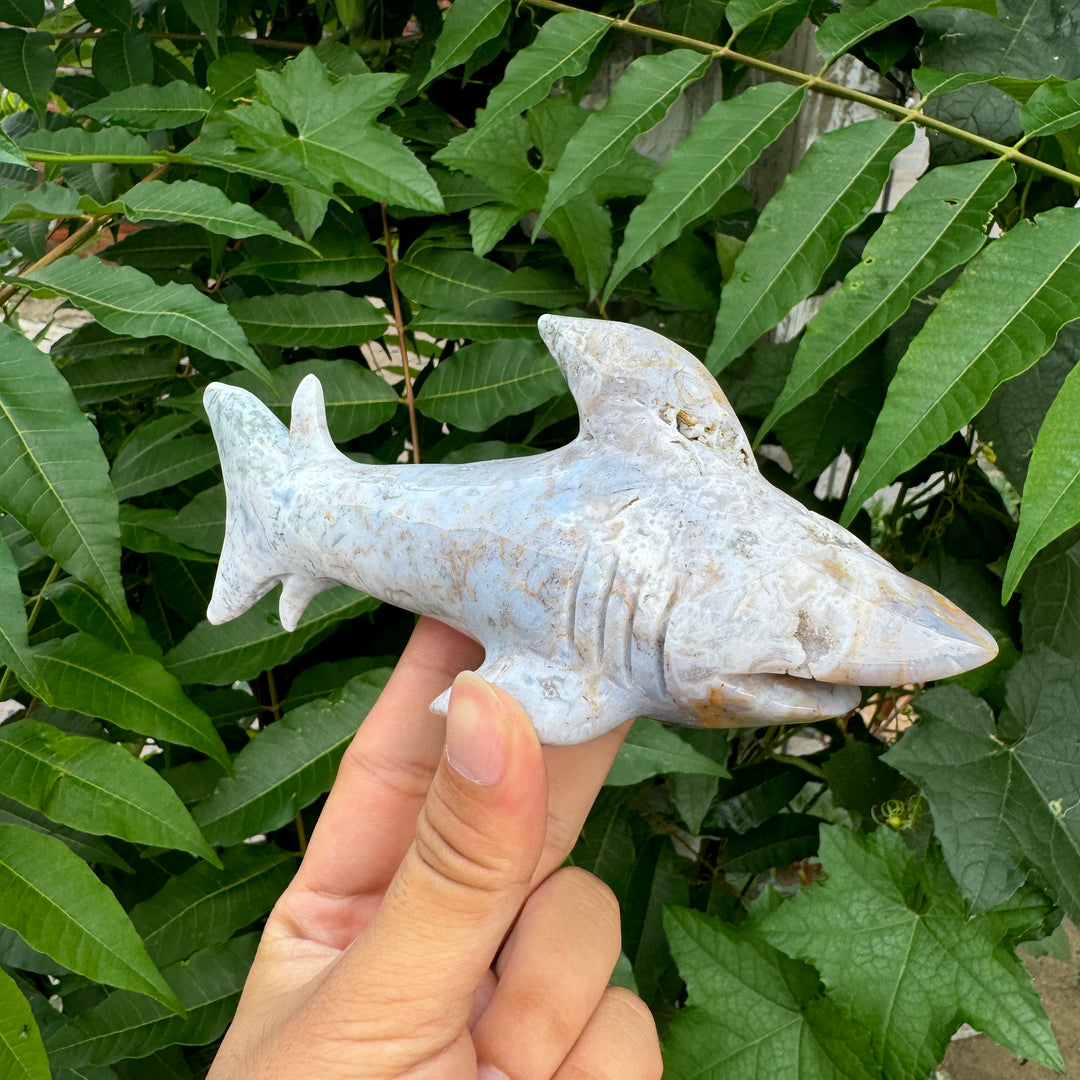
point(339, 140)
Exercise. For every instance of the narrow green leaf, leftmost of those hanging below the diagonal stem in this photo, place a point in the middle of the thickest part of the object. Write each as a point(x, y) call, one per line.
point(562, 48)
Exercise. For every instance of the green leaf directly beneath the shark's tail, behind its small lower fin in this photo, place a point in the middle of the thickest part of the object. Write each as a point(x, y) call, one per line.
point(256, 642)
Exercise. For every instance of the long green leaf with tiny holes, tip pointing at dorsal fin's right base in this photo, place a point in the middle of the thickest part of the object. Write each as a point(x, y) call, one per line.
point(939, 225)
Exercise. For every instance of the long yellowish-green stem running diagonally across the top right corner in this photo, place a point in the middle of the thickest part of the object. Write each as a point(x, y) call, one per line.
point(822, 86)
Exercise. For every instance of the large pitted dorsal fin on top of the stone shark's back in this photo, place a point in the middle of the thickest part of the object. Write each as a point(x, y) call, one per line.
point(624, 376)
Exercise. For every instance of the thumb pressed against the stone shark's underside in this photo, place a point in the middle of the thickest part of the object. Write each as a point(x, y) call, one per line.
point(479, 840)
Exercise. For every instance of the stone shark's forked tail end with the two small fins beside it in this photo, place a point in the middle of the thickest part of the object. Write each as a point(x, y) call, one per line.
point(256, 451)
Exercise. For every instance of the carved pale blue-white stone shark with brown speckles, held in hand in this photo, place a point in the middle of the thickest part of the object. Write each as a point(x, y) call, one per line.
point(646, 569)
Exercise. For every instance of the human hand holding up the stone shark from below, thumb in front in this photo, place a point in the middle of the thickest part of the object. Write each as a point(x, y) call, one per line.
point(389, 954)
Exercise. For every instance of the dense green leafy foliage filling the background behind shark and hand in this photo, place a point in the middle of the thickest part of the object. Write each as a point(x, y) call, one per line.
point(225, 187)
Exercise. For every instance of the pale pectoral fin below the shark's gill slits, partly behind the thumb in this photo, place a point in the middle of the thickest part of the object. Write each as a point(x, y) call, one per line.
point(563, 710)
